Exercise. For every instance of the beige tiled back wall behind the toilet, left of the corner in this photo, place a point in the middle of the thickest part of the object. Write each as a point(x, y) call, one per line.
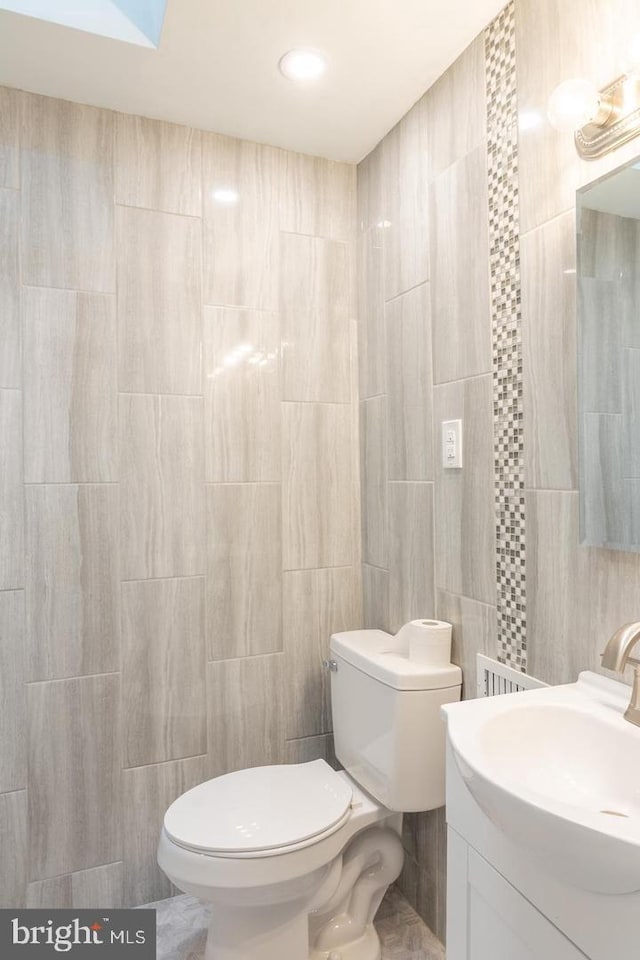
point(178, 479)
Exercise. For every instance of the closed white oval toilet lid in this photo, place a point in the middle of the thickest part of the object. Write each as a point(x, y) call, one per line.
point(260, 809)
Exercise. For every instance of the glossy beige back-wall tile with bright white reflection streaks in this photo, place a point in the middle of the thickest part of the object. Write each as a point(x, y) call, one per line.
point(242, 395)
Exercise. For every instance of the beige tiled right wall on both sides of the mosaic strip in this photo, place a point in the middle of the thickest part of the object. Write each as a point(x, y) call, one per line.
point(575, 595)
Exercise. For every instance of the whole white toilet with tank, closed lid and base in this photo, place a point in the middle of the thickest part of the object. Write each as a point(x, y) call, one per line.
point(295, 859)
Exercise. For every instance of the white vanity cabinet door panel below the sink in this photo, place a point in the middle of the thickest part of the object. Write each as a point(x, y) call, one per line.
point(489, 920)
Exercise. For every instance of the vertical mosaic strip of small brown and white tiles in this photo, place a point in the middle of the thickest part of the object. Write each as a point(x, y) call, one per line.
point(506, 316)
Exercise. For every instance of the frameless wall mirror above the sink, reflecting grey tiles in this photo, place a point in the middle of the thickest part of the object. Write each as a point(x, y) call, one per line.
point(608, 274)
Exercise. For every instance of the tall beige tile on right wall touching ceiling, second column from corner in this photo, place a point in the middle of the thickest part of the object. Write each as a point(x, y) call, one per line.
point(405, 221)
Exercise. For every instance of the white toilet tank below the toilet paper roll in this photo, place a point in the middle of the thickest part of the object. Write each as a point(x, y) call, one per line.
point(388, 732)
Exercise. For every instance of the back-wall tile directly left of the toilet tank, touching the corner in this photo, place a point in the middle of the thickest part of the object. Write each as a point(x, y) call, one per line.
point(316, 604)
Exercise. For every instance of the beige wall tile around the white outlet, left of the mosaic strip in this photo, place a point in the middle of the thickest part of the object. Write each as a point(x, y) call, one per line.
point(465, 510)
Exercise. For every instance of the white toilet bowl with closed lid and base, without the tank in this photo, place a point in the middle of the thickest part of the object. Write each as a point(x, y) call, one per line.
point(293, 860)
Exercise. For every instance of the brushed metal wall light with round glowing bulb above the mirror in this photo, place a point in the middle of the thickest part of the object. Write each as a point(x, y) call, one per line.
point(602, 119)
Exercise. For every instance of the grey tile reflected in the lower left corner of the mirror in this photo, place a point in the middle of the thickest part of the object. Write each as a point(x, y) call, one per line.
point(603, 520)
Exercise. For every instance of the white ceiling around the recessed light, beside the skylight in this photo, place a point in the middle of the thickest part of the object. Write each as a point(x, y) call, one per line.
point(216, 67)
